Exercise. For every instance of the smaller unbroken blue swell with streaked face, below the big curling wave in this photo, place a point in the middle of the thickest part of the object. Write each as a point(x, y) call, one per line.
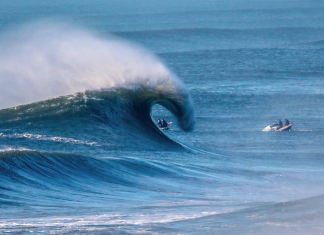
point(58, 179)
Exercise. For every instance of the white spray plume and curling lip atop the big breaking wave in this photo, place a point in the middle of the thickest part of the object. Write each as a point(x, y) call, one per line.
point(48, 59)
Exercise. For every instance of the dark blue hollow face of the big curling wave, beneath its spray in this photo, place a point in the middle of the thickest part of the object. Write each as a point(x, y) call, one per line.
point(114, 119)
